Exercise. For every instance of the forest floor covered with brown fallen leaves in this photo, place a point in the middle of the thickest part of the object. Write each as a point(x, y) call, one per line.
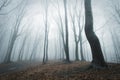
point(64, 71)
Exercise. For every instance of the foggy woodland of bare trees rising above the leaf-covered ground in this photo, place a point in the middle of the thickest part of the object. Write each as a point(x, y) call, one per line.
point(60, 30)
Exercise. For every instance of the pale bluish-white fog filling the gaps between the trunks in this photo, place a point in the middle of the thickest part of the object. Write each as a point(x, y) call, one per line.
point(27, 20)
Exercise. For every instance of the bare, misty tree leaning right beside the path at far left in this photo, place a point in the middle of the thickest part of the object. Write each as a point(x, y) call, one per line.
point(15, 34)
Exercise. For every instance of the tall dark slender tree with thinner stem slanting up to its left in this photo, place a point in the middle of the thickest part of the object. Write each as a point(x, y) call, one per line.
point(64, 31)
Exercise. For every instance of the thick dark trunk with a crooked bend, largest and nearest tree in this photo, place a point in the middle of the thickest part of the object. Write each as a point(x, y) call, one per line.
point(97, 55)
